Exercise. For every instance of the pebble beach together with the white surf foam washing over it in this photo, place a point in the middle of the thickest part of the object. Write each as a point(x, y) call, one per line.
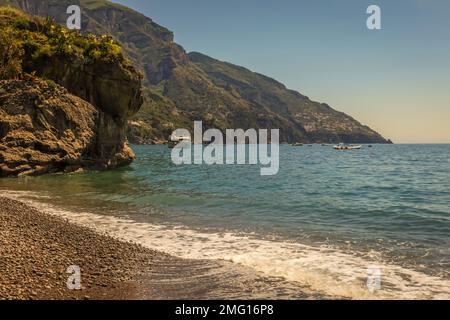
point(124, 259)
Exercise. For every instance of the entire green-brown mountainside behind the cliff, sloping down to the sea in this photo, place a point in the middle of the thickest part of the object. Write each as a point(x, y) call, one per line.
point(181, 88)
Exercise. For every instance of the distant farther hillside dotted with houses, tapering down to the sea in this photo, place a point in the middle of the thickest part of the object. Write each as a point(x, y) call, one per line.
point(319, 122)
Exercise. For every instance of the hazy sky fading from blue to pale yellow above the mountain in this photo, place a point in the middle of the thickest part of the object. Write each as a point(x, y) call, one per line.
point(396, 80)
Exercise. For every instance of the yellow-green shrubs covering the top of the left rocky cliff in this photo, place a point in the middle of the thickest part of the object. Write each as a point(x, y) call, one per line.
point(28, 41)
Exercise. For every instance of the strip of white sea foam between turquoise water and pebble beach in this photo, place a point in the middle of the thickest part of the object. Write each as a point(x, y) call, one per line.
point(324, 269)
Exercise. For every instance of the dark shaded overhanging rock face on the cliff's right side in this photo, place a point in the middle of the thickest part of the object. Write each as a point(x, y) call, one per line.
point(112, 88)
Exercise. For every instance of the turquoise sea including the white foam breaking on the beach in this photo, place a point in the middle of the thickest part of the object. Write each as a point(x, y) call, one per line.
point(323, 220)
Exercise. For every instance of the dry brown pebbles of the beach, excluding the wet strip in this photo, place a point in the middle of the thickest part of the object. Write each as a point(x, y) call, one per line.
point(37, 248)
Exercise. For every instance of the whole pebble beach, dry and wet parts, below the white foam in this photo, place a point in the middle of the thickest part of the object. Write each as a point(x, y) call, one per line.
point(37, 247)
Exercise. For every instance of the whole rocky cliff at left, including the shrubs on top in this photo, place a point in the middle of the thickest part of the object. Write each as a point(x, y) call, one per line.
point(64, 98)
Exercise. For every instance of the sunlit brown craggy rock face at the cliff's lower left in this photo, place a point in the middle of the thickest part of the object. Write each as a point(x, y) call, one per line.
point(45, 129)
